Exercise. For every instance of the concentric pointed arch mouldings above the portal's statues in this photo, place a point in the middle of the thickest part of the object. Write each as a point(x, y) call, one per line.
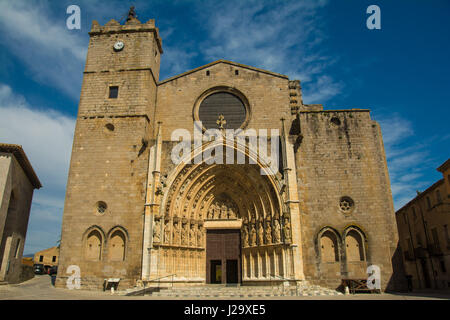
point(191, 184)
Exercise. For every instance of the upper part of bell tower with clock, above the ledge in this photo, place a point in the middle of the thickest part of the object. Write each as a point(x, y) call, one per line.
point(122, 69)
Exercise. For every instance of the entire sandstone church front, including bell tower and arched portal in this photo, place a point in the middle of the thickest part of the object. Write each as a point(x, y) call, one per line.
point(130, 212)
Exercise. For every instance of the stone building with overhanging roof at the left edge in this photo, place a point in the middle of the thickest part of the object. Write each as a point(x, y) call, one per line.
point(17, 183)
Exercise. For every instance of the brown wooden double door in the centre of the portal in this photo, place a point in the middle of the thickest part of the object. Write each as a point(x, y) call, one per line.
point(223, 256)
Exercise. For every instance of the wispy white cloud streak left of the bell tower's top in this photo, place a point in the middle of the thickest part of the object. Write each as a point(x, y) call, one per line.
point(54, 55)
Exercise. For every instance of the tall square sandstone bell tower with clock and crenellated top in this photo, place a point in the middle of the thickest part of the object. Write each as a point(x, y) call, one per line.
point(106, 188)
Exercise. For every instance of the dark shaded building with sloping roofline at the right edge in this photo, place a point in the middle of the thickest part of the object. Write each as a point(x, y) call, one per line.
point(424, 235)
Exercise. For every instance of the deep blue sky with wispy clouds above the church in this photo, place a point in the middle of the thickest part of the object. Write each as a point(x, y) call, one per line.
point(401, 73)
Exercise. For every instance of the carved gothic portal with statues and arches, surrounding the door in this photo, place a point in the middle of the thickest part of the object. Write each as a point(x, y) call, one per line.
point(201, 197)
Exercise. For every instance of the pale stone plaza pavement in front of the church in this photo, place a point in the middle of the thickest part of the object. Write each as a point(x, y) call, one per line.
point(40, 288)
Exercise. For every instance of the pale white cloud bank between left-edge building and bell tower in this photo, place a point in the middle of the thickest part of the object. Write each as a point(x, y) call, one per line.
point(46, 137)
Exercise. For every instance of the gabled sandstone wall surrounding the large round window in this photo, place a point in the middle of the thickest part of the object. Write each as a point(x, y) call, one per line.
point(267, 95)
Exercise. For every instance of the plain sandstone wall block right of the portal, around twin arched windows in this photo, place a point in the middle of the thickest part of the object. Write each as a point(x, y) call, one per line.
point(337, 158)
